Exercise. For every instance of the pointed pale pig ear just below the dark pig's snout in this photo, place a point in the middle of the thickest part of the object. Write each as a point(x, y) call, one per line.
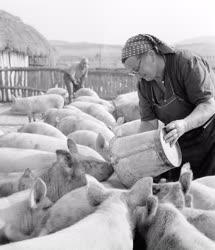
point(96, 192)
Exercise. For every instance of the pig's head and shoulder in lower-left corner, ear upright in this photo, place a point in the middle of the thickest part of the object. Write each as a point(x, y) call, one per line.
point(21, 212)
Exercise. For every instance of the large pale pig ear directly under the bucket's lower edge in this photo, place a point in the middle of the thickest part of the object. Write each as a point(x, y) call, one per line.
point(140, 191)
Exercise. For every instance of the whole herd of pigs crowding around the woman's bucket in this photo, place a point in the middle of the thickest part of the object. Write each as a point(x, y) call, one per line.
point(59, 189)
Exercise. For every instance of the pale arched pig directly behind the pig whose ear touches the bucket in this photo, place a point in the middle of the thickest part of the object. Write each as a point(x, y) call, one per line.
point(70, 124)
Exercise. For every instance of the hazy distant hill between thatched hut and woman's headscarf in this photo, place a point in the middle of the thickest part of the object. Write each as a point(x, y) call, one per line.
point(99, 55)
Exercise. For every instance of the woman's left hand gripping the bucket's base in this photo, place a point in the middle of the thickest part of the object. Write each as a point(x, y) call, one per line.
point(175, 129)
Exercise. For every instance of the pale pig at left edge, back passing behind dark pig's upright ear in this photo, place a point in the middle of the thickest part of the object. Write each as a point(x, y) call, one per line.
point(42, 142)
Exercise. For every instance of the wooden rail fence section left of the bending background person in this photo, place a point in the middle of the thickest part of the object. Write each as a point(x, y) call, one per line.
point(27, 81)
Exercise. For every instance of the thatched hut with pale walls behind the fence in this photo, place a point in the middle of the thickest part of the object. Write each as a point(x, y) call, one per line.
point(21, 45)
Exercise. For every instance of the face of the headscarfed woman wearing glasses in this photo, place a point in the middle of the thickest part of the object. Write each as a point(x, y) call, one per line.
point(144, 67)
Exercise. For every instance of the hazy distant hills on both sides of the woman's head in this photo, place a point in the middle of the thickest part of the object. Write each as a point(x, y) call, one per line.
point(109, 56)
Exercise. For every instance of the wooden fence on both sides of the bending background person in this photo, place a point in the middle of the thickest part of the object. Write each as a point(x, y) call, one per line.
point(30, 81)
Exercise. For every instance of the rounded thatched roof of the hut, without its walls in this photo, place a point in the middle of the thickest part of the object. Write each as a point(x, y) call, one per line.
point(19, 37)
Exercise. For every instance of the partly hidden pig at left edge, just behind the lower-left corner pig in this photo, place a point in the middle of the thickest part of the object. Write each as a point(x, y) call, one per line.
point(9, 186)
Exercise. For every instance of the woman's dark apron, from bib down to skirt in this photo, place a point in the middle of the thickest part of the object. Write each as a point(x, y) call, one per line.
point(197, 145)
